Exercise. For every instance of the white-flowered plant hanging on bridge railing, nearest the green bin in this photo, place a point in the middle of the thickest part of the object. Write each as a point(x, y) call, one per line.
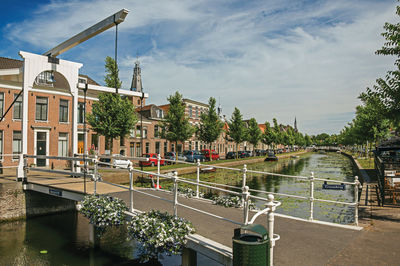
point(159, 233)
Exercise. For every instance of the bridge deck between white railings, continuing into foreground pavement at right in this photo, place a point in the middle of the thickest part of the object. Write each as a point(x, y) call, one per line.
point(301, 243)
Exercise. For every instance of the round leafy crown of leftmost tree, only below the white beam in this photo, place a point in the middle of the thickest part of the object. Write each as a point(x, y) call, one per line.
point(112, 116)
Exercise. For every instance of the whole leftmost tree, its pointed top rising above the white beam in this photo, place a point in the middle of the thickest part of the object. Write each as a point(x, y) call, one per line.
point(112, 116)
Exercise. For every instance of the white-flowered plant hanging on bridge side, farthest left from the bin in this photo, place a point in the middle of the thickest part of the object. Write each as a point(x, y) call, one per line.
point(103, 211)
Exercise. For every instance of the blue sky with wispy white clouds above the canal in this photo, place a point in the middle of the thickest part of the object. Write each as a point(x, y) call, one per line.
point(283, 59)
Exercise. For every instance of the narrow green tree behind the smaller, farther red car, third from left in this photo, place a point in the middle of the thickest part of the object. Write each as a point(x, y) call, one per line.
point(211, 126)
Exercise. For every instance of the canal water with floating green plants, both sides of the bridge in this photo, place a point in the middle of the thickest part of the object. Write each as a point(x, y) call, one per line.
point(63, 239)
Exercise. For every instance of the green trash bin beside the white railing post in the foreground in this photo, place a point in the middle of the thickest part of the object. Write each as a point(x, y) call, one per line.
point(251, 249)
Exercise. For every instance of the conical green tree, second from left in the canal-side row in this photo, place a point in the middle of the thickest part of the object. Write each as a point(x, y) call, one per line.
point(176, 126)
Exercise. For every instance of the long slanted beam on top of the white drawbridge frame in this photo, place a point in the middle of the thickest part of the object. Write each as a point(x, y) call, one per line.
point(103, 25)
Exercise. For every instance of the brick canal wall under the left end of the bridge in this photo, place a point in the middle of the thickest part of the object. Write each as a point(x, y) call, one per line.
point(15, 203)
